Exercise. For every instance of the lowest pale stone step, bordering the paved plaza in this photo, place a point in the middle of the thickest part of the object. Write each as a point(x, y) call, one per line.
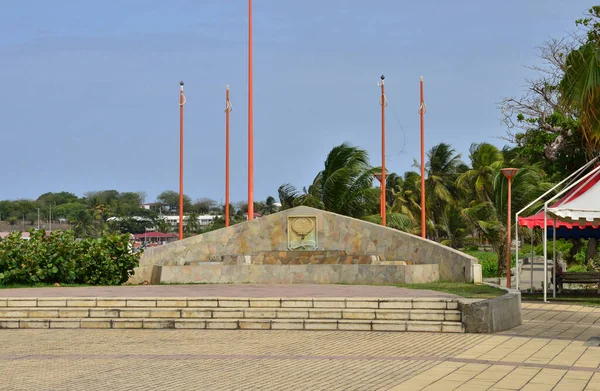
point(232, 324)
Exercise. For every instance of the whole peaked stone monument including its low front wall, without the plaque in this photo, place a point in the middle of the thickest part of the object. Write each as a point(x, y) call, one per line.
point(348, 251)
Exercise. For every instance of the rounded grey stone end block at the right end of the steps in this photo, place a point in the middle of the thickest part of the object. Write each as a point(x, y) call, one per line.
point(492, 315)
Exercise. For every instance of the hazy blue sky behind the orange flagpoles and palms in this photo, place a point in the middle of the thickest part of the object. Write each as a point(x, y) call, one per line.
point(89, 96)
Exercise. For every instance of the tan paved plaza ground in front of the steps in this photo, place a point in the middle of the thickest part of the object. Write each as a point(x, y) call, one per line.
point(548, 352)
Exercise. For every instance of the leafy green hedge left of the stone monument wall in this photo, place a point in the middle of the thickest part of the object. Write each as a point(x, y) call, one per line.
point(60, 258)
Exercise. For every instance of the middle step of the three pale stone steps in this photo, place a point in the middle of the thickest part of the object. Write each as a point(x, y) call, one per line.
point(230, 313)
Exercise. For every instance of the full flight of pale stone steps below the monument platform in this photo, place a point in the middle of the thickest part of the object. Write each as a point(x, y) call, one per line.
point(358, 314)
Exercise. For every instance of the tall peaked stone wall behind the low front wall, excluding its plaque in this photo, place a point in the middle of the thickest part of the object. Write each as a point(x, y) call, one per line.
point(341, 240)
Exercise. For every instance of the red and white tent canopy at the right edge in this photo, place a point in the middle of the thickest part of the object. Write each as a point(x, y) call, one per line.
point(580, 191)
